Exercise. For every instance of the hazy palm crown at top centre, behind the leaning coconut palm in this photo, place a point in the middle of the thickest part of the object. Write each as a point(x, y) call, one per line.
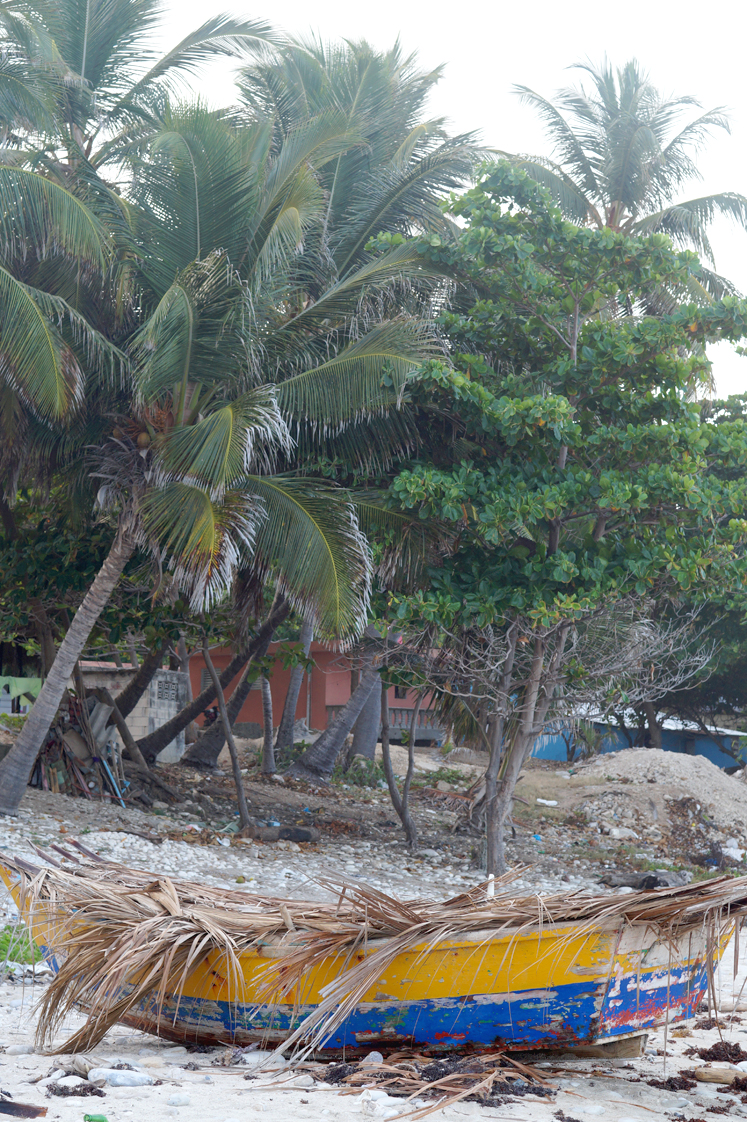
point(404, 163)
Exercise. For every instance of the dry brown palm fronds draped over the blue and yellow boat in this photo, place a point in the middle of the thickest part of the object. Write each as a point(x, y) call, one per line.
point(125, 937)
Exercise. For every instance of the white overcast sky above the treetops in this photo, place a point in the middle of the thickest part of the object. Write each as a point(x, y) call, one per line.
point(488, 48)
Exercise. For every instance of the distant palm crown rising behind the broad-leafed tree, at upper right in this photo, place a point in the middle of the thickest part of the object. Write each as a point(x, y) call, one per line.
point(623, 154)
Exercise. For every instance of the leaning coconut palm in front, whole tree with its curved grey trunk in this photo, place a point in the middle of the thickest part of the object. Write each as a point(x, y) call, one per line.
point(233, 353)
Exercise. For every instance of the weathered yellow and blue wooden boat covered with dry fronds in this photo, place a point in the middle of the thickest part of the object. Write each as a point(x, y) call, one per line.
point(615, 969)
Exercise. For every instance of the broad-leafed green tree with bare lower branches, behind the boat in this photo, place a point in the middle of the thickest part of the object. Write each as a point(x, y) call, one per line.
point(579, 482)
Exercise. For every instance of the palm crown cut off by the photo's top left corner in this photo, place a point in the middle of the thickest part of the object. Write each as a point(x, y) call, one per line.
point(80, 75)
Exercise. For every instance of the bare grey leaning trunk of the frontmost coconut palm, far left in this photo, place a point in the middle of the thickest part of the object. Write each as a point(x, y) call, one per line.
point(17, 766)
